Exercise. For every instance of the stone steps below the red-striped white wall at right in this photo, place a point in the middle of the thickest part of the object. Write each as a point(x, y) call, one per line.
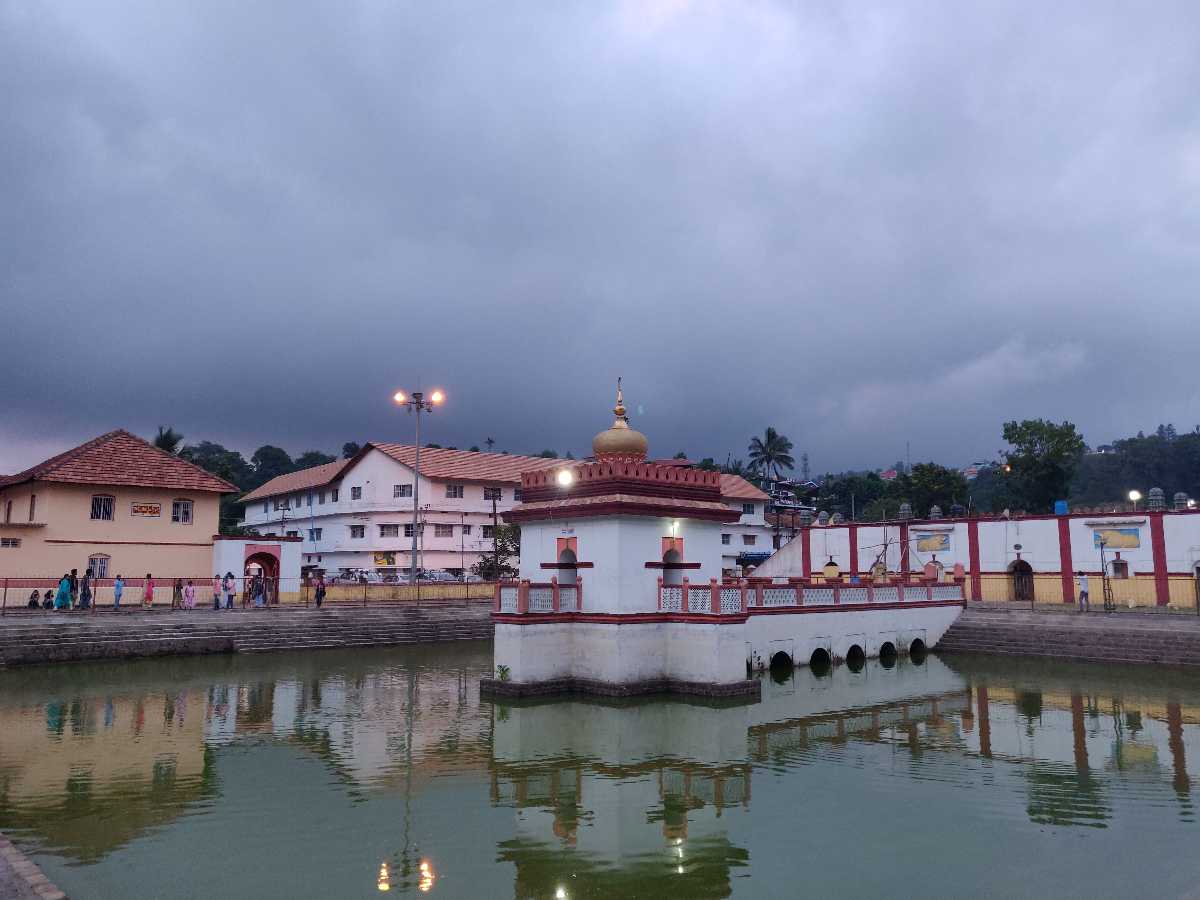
point(1096, 637)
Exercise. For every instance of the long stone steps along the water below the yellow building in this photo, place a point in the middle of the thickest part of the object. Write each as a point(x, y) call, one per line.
point(37, 638)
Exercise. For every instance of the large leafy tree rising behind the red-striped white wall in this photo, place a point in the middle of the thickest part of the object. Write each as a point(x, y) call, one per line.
point(1043, 460)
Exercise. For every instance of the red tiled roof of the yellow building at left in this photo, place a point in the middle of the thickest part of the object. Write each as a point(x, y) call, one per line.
point(121, 459)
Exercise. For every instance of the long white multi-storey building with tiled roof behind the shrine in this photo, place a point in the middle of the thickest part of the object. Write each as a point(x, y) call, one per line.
point(358, 514)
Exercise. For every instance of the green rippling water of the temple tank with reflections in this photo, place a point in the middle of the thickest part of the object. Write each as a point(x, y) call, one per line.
point(340, 775)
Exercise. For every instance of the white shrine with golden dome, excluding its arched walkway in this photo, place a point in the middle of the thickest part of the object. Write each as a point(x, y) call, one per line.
point(620, 586)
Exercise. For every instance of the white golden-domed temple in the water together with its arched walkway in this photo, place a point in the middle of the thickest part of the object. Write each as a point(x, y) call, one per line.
point(621, 593)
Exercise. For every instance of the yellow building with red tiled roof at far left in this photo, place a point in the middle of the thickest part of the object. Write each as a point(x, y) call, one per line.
point(117, 505)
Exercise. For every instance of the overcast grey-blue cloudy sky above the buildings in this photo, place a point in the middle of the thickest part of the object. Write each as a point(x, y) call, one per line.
point(863, 224)
